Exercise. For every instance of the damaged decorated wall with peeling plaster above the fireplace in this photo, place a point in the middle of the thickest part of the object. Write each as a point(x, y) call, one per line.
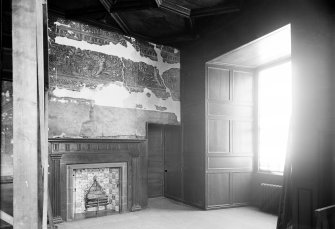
point(104, 84)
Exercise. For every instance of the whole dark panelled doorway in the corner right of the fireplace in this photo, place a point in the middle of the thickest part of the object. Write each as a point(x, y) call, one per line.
point(164, 161)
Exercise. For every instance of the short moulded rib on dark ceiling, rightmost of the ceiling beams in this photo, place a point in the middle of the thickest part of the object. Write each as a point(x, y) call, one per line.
point(216, 10)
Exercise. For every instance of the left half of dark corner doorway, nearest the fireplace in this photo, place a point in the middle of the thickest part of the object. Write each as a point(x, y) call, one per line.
point(155, 160)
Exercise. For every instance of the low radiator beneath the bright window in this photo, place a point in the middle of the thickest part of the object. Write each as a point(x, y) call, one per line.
point(270, 197)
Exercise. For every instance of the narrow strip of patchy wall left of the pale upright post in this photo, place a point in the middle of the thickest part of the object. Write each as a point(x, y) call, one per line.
point(6, 130)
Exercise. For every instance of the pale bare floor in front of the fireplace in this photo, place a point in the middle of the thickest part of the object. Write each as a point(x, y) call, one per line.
point(164, 213)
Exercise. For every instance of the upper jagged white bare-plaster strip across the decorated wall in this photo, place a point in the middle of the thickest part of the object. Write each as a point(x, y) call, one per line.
point(119, 50)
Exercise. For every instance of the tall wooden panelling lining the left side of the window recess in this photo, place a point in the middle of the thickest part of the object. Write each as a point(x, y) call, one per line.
point(230, 135)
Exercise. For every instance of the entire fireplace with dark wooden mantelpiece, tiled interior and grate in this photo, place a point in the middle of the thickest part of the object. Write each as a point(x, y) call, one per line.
point(96, 177)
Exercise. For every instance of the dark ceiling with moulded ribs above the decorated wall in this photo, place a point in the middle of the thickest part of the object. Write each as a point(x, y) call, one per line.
point(160, 21)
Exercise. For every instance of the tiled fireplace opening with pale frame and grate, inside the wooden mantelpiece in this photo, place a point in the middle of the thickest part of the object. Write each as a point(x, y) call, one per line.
point(97, 190)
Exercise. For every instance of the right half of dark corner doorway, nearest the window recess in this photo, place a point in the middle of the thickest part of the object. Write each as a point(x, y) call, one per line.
point(172, 161)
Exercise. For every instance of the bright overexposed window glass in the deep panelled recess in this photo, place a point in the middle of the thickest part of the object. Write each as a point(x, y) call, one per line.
point(274, 112)
